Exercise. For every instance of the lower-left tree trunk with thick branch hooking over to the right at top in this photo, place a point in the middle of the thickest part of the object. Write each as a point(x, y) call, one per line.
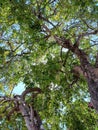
point(31, 117)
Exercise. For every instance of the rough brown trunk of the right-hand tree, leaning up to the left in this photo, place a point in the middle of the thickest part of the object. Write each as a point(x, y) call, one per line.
point(92, 77)
